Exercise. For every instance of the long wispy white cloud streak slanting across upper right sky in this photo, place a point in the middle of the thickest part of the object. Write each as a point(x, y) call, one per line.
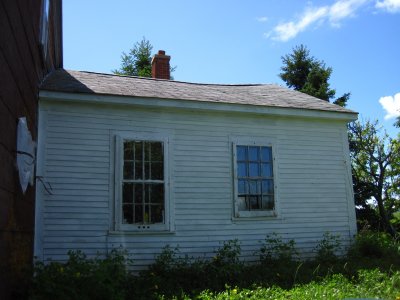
point(333, 14)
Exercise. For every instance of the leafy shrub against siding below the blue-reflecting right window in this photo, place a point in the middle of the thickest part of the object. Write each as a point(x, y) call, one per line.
point(274, 249)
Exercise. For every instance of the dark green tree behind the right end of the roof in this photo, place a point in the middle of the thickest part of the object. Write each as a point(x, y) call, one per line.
point(306, 74)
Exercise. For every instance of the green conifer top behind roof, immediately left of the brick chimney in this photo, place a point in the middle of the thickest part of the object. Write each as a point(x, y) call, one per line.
point(137, 62)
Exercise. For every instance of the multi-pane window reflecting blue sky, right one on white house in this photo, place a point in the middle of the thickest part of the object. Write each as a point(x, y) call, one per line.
point(254, 180)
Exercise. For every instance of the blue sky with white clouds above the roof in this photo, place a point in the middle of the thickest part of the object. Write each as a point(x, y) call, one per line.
point(237, 41)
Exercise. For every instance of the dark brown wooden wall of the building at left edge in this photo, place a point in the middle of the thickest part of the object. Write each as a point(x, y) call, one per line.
point(22, 68)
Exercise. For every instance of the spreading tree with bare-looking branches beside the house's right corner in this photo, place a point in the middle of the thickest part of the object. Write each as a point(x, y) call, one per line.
point(376, 173)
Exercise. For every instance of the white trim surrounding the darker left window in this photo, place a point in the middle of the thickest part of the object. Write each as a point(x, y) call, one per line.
point(119, 226)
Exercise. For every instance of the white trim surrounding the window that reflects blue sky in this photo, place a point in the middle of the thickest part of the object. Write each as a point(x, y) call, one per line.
point(254, 215)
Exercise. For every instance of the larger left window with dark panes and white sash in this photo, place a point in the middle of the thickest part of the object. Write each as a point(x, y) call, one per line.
point(142, 186)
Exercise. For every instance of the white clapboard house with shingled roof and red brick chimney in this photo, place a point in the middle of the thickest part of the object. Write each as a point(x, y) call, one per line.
point(146, 162)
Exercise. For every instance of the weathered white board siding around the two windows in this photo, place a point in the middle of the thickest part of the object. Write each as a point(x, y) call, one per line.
point(77, 160)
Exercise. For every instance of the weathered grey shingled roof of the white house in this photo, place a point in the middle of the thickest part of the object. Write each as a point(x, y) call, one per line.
point(269, 95)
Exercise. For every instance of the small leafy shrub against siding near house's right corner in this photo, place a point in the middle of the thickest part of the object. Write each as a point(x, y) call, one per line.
point(327, 248)
